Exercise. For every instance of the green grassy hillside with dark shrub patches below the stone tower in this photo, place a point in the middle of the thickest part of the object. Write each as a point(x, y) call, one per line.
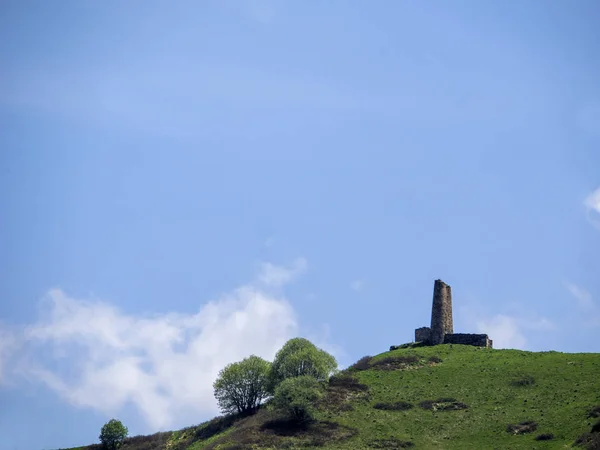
point(442, 397)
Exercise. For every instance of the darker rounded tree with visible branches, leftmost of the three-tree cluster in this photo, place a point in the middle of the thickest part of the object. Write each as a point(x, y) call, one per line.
point(241, 387)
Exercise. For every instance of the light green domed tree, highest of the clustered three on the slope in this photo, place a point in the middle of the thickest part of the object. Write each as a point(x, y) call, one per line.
point(299, 357)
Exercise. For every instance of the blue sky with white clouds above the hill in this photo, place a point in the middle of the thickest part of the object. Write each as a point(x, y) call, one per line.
point(189, 183)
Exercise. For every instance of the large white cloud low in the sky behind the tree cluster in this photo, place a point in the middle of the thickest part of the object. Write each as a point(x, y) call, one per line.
point(95, 356)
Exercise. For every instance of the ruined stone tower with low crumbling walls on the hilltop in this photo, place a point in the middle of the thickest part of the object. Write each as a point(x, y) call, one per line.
point(442, 328)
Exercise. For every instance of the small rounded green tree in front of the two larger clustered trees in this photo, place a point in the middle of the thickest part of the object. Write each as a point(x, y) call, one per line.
point(297, 397)
